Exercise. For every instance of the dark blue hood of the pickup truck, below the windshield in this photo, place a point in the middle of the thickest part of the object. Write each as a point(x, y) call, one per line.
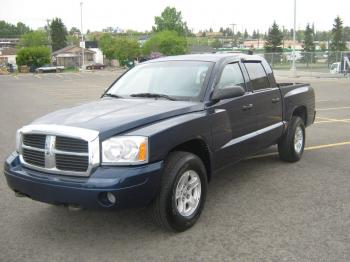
point(112, 116)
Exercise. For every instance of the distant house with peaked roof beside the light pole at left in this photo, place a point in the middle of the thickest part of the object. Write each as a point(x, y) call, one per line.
point(72, 56)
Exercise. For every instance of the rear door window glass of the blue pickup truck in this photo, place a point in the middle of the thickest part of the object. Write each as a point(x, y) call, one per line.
point(257, 74)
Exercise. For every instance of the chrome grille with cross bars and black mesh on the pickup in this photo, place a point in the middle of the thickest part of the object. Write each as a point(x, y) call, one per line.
point(59, 154)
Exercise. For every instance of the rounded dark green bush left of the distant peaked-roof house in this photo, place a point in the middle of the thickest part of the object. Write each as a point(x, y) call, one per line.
point(33, 56)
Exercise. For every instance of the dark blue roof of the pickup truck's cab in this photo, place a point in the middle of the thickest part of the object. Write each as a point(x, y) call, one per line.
point(215, 57)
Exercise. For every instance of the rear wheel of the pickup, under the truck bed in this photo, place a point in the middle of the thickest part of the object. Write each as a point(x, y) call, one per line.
point(291, 146)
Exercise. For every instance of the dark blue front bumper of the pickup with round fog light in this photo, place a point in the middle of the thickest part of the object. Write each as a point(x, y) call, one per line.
point(132, 186)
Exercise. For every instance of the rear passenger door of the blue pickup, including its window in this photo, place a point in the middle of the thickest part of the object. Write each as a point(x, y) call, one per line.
point(267, 101)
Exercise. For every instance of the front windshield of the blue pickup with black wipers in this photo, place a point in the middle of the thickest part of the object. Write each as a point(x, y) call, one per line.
point(181, 80)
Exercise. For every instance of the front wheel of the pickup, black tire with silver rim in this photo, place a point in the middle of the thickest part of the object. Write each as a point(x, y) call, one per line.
point(166, 207)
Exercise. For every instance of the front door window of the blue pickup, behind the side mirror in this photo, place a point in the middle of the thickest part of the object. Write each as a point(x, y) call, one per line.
point(231, 75)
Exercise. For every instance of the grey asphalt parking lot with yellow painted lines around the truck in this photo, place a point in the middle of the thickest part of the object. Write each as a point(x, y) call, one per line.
point(259, 210)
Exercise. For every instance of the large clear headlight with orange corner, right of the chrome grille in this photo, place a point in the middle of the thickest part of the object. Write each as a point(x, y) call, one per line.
point(124, 150)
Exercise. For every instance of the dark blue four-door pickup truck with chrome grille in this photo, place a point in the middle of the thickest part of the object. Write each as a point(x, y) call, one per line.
point(159, 134)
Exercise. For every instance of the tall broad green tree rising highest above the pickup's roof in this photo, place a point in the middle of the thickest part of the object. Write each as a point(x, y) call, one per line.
point(170, 20)
